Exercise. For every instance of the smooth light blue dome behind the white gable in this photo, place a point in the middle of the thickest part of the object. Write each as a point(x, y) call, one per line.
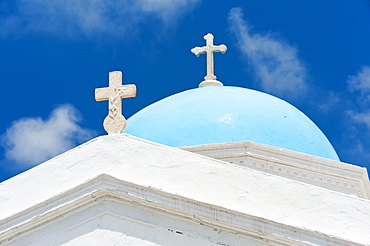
point(219, 114)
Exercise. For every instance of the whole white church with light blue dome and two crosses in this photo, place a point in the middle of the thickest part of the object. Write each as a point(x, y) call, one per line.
point(215, 165)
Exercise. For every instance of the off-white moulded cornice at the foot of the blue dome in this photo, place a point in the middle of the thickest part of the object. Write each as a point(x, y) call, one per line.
point(322, 172)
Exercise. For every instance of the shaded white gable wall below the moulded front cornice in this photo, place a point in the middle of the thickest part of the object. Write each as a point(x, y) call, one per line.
point(110, 221)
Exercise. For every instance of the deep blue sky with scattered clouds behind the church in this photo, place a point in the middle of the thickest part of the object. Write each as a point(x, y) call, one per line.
point(53, 54)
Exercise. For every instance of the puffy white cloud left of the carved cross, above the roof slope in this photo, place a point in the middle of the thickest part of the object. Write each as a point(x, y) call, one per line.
point(29, 141)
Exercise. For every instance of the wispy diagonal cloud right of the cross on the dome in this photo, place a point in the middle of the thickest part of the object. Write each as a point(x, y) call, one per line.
point(274, 61)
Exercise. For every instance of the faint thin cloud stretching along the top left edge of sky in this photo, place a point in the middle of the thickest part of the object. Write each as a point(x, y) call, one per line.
point(87, 17)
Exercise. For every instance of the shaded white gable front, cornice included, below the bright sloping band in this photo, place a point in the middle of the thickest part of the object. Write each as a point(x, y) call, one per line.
point(121, 212)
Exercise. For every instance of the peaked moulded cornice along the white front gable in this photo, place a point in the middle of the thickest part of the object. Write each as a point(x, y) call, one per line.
point(106, 188)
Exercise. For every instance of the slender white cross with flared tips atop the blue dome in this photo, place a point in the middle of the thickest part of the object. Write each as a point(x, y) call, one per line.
point(210, 78)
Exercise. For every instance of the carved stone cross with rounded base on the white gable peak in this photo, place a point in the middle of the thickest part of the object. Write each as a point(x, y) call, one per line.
point(115, 123)
